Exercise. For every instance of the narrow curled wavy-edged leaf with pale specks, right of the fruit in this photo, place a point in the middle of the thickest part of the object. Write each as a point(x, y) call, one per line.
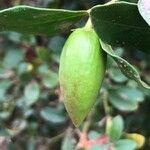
point(127, 69)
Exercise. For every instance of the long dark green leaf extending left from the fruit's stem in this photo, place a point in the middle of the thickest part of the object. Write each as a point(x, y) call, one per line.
point(39, 21)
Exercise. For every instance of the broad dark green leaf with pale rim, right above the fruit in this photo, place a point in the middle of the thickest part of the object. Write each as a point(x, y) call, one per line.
point(120, 24)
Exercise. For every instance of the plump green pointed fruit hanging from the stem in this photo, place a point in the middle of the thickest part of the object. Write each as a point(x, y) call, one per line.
point(82, 68)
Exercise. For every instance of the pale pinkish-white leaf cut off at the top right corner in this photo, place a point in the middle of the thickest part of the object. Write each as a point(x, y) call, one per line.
point(144, 9)
